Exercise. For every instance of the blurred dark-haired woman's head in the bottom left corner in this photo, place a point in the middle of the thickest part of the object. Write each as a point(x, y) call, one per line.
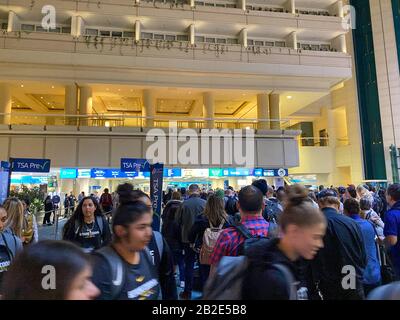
point(70, 266)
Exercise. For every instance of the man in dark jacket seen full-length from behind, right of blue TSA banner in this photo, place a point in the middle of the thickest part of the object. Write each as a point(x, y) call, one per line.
point(185, 217)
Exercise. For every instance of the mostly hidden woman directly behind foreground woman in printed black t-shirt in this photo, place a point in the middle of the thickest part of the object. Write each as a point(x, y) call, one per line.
point(159, 249)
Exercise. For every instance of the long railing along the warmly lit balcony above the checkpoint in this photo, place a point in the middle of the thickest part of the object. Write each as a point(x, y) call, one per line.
point(108, 121)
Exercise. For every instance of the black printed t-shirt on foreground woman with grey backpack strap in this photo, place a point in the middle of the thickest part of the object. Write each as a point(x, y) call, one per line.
point(140, 282)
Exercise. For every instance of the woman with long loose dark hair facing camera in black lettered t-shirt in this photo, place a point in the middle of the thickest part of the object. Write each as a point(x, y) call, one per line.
point(88, 227)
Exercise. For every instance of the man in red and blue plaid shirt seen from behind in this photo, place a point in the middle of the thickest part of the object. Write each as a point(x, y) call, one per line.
point(251, 206)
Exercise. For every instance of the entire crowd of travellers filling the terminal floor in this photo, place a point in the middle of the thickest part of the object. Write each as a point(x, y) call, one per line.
point(259, 242)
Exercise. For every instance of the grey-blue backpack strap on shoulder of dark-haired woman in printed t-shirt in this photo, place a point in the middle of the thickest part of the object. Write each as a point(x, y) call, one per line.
point(117, 270)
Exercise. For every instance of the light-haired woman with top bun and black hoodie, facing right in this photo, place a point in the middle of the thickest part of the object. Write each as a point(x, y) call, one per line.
point(274, 264)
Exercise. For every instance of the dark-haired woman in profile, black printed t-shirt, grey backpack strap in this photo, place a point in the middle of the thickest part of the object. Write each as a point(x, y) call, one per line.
point(125, 270)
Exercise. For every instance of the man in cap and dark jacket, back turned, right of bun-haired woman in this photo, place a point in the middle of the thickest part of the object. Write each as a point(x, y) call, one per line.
point(343, 251)
